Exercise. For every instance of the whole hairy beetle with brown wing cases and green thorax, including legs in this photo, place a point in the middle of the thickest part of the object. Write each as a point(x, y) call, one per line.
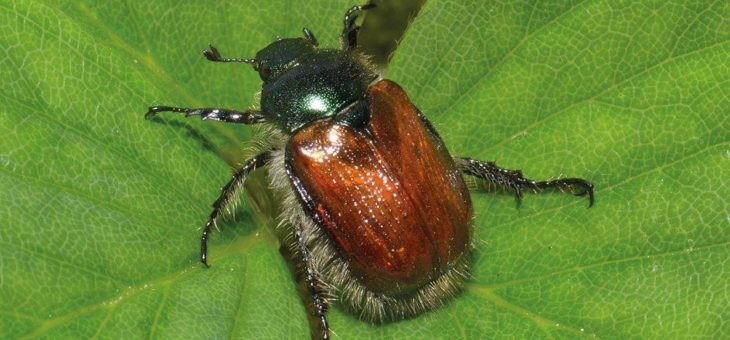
point(374, 206)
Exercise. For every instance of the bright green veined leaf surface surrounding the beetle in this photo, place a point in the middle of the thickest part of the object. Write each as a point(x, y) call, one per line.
point(101, 210)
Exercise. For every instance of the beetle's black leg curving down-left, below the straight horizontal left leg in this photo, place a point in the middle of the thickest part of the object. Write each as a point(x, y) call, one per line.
point(228, 192)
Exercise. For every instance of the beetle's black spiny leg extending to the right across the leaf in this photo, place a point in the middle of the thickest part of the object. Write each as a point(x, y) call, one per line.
point(514, 179)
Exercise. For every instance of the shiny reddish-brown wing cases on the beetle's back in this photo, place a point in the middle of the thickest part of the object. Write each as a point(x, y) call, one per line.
point(389, 196)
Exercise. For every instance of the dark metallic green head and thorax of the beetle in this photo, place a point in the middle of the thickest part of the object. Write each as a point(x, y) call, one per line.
point(304, 84)
